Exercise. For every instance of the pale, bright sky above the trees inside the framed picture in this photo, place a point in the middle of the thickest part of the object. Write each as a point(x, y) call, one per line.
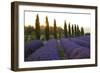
point(73, 18)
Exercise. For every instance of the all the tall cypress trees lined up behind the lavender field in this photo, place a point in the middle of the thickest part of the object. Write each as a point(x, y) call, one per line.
point(69, 31)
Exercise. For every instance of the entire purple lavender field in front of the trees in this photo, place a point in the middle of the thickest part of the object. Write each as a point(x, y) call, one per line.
point(53, 49)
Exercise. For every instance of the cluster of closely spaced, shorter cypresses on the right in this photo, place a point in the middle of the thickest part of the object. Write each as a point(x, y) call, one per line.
point(73, 31)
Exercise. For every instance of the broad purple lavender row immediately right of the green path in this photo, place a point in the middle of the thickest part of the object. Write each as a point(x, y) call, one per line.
point(74, 51)
